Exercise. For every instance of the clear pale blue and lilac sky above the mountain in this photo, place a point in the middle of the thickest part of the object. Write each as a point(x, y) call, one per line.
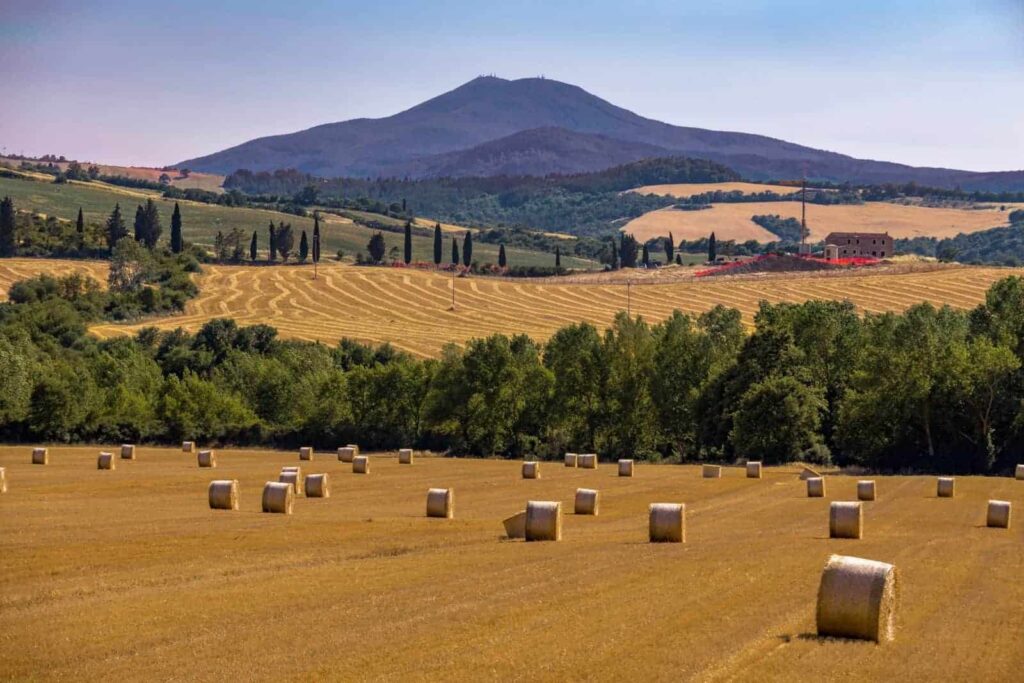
point(928, 83)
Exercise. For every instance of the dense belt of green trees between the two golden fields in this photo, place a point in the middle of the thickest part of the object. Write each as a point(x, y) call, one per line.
point(931, 390)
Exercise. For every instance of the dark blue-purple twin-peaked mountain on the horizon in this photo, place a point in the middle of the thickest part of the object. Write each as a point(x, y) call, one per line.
point(535, 126)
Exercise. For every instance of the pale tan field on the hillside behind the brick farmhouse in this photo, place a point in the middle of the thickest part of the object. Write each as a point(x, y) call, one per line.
point(733, 222)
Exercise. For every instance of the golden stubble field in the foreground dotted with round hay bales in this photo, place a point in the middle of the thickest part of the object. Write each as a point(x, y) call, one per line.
point(127, 575)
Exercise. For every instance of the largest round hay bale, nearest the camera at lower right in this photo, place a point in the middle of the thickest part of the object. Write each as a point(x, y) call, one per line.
point(859, 599)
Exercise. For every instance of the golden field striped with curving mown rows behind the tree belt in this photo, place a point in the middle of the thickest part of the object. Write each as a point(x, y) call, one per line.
point(411, 309)
